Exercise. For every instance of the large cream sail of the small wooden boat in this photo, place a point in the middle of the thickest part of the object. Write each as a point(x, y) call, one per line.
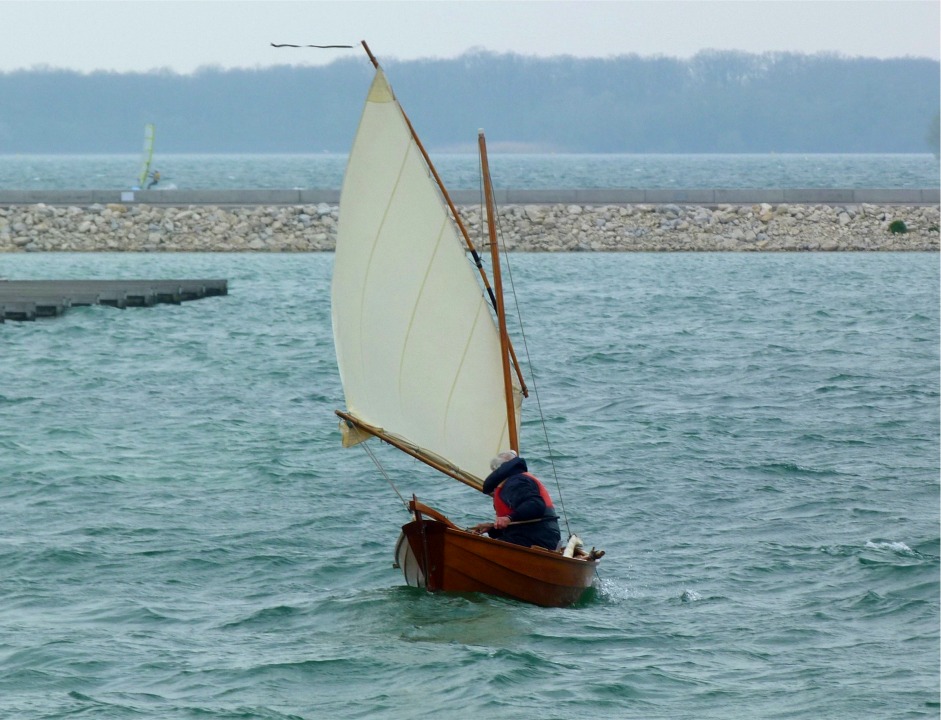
point(417, 347)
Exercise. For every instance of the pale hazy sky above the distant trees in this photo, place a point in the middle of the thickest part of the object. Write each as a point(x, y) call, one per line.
point(182, 35)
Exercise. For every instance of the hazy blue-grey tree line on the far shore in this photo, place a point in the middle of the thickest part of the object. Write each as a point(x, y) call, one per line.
point(715, 102)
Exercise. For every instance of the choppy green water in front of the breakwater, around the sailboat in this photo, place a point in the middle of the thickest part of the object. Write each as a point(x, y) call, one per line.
point(754, 439)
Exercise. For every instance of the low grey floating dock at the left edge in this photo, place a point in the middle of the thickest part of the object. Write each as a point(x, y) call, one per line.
point(31, 299)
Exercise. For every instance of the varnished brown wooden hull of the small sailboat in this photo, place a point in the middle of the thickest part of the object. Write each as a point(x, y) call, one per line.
point(454, 560)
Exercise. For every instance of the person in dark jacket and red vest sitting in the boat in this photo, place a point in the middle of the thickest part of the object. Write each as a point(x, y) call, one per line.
point(524, 511)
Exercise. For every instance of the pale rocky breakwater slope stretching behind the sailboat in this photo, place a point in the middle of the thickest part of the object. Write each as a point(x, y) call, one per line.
point(537, 228)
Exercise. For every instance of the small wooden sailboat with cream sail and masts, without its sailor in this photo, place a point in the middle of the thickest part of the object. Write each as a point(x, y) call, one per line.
point(424, 356)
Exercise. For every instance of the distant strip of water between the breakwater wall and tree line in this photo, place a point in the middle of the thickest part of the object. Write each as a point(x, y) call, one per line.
point(187, 172)
